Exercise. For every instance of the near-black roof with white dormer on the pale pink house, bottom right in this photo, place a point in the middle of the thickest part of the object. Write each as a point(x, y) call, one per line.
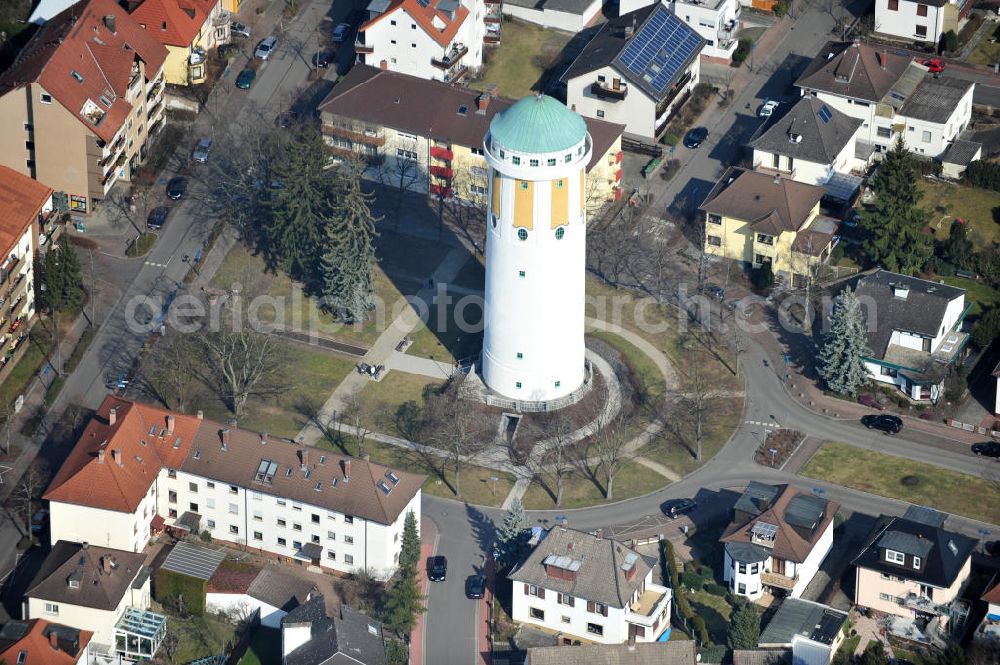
point(944, 560)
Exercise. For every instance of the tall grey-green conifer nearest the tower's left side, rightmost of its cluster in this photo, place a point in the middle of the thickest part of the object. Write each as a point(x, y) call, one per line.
point(346, 267)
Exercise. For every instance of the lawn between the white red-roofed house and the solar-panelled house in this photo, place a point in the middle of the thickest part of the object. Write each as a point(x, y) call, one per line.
point(525, 50)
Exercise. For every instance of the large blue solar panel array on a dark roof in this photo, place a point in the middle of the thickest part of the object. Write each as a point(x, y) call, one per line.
point(658, 51)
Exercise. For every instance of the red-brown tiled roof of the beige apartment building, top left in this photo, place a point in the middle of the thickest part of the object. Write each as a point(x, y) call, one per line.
point(79, 40)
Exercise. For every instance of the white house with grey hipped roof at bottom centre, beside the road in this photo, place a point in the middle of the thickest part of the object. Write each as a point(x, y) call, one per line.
point(588, 588)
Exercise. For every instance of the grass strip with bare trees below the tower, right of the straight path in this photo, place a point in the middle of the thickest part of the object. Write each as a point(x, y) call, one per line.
point(579, 491)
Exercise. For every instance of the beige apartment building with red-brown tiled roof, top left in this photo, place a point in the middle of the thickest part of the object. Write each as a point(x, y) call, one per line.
point(81, 101)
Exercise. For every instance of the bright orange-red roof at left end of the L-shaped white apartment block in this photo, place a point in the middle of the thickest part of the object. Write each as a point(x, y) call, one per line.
point(87, 479)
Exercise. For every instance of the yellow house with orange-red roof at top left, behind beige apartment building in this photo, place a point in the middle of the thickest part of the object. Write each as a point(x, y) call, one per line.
point(189, 29)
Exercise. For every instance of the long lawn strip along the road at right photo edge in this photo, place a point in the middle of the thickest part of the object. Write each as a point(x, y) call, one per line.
point(882, 474)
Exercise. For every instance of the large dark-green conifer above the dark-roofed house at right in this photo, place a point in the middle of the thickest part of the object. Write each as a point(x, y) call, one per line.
point(894, 224)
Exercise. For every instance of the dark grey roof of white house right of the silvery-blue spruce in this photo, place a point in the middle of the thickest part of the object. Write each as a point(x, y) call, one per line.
point(921, 312)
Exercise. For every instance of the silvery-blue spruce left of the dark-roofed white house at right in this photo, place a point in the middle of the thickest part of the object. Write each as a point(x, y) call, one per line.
point(846, 343)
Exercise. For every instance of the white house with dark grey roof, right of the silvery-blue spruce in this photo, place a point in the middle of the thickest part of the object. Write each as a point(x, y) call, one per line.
point(914, 331)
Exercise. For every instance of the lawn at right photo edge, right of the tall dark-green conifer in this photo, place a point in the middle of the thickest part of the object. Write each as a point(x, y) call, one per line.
point(946, 201)
